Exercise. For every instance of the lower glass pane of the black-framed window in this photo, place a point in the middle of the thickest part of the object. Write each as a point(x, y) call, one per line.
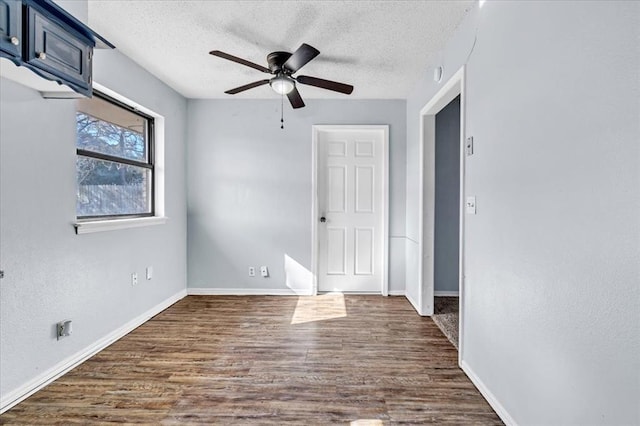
point(106, 188)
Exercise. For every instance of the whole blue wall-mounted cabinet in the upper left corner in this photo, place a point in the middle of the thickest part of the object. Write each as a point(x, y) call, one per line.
point(51, 42)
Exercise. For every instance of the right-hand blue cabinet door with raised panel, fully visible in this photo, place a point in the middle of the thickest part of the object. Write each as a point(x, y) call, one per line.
point(59, 52)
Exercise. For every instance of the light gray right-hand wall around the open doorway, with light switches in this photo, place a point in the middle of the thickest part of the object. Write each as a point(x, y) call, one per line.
point(552, 301)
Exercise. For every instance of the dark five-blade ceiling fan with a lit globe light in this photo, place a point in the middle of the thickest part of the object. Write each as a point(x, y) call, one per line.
point(283, 65)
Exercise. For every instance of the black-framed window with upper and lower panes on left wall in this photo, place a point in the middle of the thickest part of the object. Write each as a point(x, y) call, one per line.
point(115, 160)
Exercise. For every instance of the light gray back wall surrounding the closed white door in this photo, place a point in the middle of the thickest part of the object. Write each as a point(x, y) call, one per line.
point(250, 187)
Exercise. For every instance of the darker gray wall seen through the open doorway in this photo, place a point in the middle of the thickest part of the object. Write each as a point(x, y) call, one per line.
point(446, 239)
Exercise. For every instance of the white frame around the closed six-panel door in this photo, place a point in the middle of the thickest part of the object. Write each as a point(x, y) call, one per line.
point(316, 129)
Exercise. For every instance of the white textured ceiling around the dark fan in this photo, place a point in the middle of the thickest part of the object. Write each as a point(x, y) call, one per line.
point(380, 47)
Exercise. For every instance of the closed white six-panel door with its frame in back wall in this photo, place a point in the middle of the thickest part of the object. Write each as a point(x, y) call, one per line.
point(351, 209)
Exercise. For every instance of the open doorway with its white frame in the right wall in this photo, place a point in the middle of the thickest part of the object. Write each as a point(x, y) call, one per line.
point(442, 206)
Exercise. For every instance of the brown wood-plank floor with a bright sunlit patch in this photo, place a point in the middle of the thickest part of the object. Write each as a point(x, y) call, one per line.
point(269, 360)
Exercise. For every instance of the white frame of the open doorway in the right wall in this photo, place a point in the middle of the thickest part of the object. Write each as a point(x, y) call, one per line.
point(426, 232)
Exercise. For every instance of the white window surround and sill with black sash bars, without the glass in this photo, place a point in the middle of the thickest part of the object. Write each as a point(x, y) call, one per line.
point(155, 162)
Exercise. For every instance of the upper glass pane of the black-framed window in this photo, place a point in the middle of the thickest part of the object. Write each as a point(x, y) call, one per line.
point(110, 129)
